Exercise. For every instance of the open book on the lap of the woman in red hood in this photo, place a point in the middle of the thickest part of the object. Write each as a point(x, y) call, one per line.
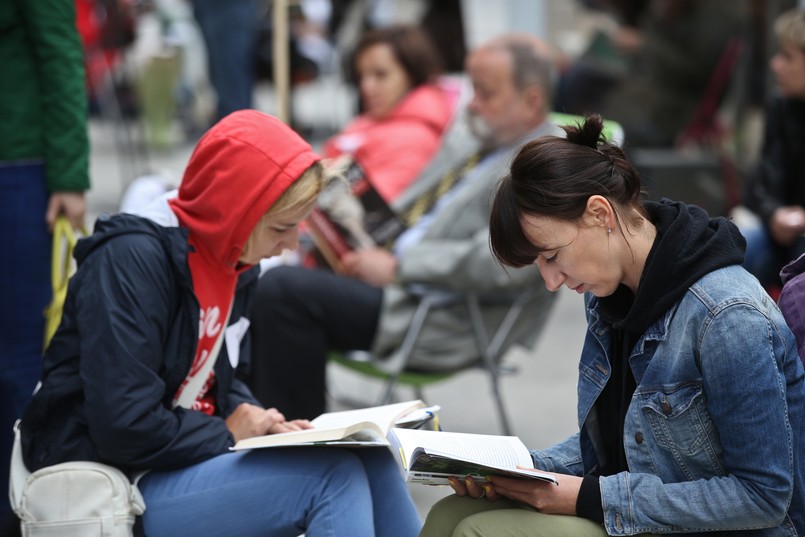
point(361, 427)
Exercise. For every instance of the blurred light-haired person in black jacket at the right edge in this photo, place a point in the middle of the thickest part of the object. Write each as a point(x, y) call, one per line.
point(776, 188)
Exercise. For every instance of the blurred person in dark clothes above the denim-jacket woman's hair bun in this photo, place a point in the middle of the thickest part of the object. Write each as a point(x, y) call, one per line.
point(650, 70)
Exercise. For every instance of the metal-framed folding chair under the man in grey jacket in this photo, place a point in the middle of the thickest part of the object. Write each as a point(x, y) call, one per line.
point(394, 370)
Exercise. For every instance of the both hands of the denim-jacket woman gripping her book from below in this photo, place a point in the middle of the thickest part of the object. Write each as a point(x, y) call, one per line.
point(543, 496)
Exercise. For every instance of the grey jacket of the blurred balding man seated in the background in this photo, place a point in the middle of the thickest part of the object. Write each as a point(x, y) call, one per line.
point(454, 253)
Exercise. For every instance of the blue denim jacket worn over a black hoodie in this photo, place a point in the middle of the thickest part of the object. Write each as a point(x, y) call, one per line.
point(714, 431)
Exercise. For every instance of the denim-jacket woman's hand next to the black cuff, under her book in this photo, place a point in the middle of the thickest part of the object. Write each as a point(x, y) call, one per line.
point(543, 496)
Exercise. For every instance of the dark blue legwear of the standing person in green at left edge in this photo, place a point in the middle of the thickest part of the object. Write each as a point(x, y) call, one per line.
point(24, 292)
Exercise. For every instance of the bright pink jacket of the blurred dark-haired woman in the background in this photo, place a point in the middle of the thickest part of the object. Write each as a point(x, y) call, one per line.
point(393, 150)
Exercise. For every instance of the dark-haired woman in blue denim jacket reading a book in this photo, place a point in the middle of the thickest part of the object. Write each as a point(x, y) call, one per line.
point(691, 393)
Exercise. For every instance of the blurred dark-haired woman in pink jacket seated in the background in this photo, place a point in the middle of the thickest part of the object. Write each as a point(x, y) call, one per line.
point(405, 108)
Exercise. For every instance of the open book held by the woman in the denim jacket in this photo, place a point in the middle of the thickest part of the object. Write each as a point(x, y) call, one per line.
point(430, 457)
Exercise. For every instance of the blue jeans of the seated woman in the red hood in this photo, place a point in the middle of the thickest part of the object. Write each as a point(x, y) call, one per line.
point(321, 492)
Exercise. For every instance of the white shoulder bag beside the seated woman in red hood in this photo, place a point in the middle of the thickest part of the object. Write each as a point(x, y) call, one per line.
point(73, 499)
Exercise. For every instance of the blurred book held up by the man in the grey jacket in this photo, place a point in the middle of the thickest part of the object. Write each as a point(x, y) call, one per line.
point(350, 215)
